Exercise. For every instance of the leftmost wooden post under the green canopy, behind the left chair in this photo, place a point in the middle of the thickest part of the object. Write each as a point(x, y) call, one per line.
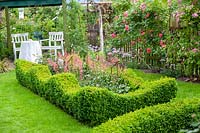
point(9, 46)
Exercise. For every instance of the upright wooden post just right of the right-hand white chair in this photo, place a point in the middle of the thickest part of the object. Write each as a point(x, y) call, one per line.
point(64, 6)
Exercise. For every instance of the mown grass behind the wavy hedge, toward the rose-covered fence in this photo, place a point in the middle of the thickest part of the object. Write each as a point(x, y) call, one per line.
point(185, 89)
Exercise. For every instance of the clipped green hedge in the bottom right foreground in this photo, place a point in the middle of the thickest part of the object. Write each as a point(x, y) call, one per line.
point(168, 118)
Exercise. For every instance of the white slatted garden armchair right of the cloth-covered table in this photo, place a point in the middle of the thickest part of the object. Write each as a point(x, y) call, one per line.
point(56, 41)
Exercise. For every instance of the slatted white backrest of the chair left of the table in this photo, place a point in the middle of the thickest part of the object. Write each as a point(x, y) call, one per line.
point(18, 38)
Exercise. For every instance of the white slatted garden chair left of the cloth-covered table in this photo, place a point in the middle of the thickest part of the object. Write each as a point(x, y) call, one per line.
point(16, 40)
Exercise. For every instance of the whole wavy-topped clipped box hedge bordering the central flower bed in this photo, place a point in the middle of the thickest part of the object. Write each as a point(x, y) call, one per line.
point(91, 105)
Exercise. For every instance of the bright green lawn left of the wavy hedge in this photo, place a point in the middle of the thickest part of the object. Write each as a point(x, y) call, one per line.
point(23, 111)
